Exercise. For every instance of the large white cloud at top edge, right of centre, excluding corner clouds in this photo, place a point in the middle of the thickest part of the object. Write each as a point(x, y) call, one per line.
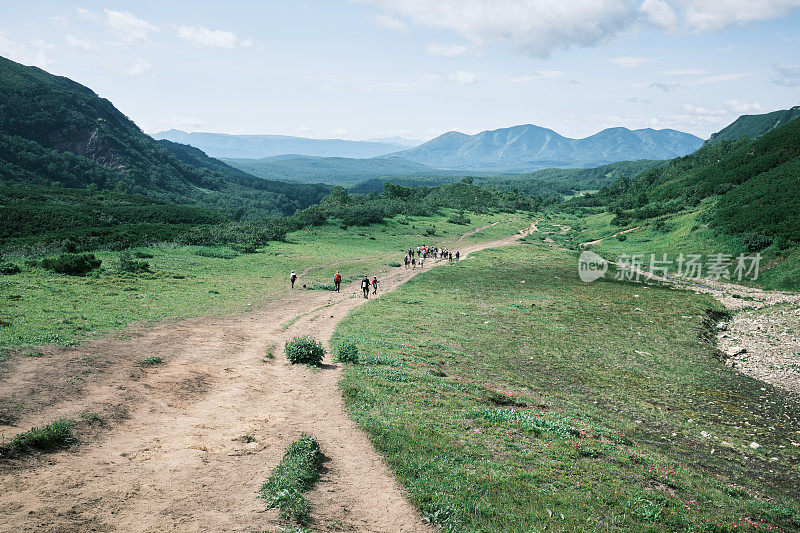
point(535, 26)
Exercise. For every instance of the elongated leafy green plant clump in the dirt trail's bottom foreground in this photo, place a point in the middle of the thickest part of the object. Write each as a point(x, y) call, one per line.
point(293, 476)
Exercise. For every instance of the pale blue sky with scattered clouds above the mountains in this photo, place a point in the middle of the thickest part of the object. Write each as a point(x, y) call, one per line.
point(366, 69)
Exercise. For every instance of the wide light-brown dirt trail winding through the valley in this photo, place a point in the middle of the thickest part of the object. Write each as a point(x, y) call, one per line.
point(172, 458)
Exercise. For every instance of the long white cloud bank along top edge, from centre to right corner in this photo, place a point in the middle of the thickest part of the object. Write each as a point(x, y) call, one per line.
point(540, 27)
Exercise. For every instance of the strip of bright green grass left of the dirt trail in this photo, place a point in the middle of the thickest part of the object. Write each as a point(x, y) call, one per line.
point(38, 307)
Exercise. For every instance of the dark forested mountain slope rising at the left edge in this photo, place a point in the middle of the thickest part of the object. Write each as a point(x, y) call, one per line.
point(56, 130)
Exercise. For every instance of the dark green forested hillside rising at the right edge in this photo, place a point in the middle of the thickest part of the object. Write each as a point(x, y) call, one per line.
point(751, 188)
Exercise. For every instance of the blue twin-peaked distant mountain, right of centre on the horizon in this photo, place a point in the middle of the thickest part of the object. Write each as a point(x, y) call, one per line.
point(528, 147)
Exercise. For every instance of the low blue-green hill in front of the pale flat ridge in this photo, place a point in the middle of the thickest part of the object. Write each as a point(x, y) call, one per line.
point(331, 170)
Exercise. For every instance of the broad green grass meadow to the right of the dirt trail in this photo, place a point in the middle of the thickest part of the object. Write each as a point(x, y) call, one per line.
point(561, 405)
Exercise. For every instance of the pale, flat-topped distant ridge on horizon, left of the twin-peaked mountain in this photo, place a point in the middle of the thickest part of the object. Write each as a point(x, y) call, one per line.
point(258, 146)
